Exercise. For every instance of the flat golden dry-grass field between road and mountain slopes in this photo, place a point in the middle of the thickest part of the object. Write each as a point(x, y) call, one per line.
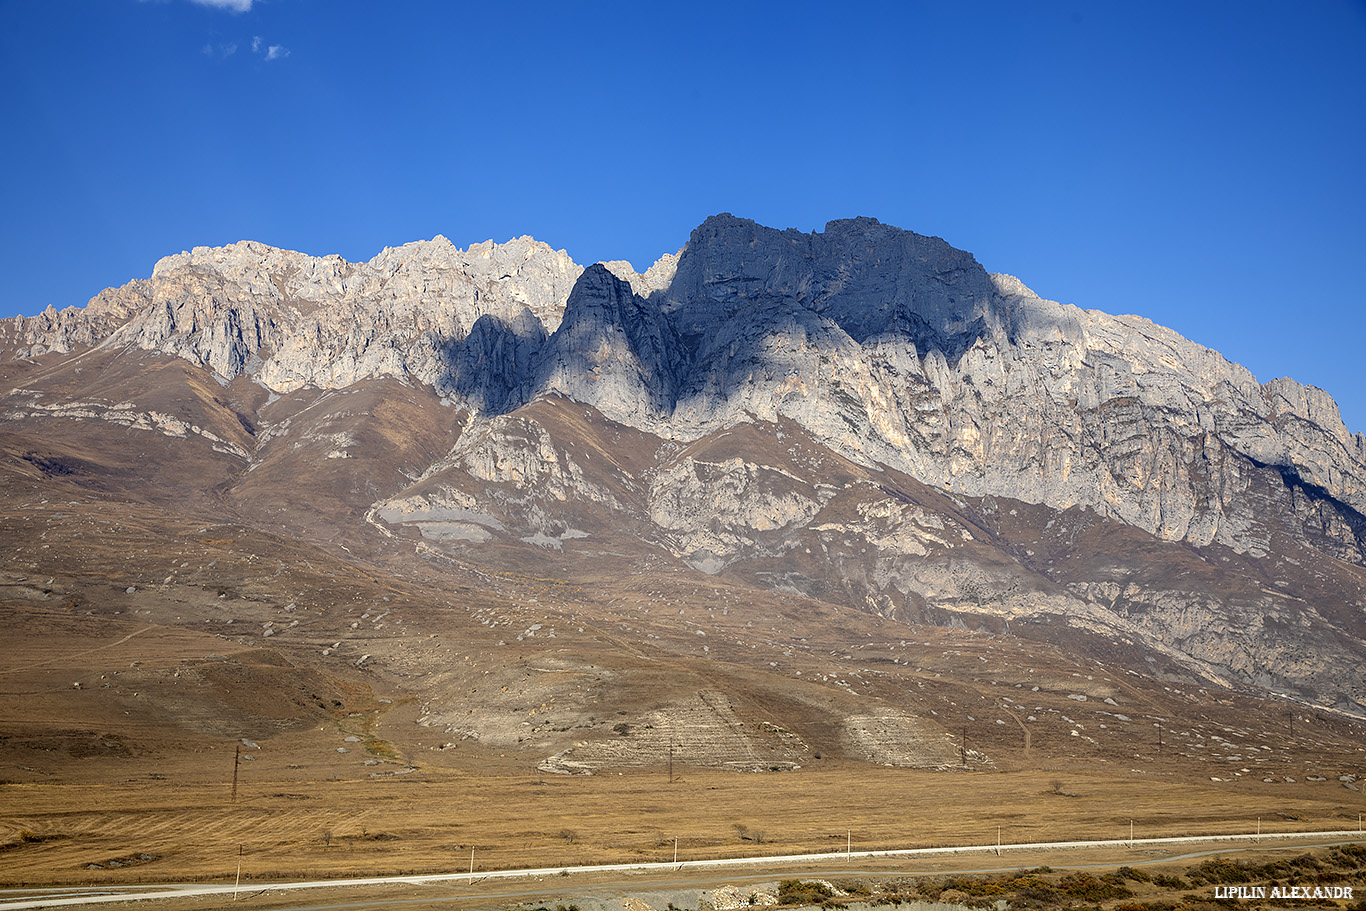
point(156, 830)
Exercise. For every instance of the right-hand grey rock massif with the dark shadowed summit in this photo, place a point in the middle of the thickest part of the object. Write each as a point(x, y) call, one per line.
point(901, 350)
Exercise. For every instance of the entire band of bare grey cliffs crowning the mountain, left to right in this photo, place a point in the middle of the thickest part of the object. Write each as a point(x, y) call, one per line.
point(890, 348)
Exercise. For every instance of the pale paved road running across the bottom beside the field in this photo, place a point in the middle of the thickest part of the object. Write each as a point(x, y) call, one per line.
point(57, 898)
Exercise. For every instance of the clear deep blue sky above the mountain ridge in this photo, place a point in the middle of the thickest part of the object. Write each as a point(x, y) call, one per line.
point(1195, 163)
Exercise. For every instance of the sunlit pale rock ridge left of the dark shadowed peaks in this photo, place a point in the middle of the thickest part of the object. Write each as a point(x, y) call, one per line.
point(293, 320)
